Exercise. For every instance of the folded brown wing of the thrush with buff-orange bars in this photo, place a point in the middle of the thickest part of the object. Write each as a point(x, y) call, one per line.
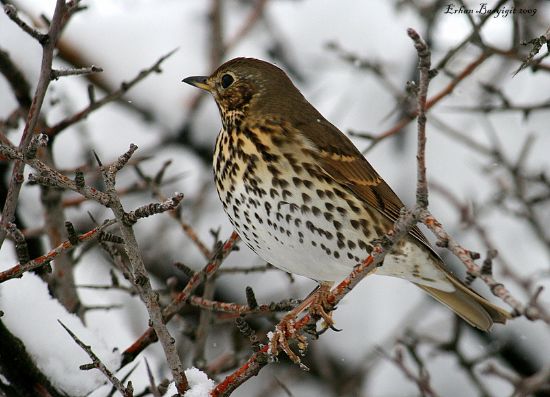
point(343, 162)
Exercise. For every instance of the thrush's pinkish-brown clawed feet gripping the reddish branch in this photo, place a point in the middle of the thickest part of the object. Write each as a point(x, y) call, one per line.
point(317, 304)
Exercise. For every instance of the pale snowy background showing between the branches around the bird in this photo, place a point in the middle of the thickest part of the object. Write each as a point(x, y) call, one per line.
point(125, 36)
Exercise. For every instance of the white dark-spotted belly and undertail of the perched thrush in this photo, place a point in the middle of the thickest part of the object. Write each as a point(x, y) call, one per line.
point(302, 239)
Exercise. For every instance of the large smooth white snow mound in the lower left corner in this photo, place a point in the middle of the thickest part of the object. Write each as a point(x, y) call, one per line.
point(31, 314)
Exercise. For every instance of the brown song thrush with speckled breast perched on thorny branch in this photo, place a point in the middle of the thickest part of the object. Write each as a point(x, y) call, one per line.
point(303, 197)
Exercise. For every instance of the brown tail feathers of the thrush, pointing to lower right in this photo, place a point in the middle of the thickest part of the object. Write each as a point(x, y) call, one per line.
point(469, 305)
